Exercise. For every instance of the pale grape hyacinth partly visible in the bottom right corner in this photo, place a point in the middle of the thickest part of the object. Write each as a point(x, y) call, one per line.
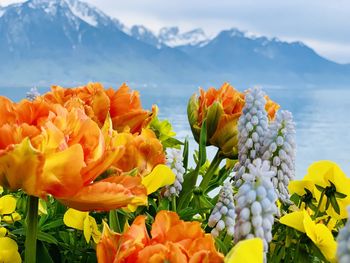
point(343, 240)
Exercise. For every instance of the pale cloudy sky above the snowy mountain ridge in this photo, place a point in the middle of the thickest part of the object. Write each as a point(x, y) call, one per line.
point(323, 25)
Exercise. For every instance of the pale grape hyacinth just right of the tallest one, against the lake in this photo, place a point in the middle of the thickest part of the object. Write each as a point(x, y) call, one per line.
point(279, 149)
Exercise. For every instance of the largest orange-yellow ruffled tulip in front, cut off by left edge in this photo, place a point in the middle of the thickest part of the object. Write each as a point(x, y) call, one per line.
point(46, 149)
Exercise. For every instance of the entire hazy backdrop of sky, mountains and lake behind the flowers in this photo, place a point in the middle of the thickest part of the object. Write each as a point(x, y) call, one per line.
point(297, 51)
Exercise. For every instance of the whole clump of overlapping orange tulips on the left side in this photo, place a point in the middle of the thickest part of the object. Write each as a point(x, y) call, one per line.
point(60, 143)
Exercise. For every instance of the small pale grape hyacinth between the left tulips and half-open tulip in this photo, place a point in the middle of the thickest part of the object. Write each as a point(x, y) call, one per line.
point(174, 160)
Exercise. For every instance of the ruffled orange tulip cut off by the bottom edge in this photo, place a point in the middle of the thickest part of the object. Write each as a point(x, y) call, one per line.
point(173, 240)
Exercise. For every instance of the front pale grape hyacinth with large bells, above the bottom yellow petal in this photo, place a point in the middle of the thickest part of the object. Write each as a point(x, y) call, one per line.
point(256, 204)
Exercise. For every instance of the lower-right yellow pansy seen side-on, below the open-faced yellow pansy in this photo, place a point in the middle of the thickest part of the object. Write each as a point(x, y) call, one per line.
point(320, 235)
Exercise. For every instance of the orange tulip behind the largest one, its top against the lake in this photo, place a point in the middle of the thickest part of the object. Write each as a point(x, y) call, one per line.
point(123, 105)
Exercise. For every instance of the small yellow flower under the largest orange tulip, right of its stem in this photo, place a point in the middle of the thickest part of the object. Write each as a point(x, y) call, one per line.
point(82, 221)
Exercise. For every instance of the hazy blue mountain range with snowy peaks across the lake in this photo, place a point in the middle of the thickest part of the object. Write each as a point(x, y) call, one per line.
point(69, 41)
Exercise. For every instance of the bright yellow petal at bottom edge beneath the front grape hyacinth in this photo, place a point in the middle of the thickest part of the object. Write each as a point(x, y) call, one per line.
point(246, 251)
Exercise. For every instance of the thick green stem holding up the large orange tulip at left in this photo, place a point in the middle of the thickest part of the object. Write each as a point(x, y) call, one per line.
point(32, 229)
